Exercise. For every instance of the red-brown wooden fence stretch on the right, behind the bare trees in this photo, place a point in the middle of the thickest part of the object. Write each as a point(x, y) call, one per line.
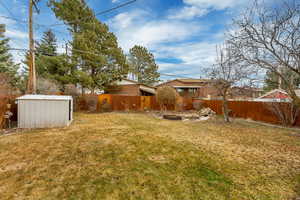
point(257, 111)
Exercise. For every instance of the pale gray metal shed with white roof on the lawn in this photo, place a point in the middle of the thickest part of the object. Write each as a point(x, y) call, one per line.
point(44, 111)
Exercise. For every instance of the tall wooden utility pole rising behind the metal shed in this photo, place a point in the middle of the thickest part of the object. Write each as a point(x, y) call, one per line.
point(31, 87)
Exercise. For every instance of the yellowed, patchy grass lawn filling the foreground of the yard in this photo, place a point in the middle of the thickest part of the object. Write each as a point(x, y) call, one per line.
point(136, 156)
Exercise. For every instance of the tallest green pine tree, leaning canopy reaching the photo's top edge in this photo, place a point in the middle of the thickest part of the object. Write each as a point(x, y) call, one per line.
point(95, 50)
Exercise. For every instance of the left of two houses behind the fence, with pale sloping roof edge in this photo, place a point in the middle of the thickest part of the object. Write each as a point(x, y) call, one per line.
point(131, 88)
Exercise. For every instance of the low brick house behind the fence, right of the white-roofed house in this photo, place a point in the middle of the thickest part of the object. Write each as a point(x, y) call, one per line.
point(197, 88)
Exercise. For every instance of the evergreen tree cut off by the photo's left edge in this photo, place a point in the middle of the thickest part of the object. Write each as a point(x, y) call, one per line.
point(7, 65)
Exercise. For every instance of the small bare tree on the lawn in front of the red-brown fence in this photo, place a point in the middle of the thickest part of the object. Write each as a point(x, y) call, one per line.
point(229, 71)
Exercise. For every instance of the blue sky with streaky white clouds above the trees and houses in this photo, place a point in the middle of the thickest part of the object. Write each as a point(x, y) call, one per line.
point(182, 34)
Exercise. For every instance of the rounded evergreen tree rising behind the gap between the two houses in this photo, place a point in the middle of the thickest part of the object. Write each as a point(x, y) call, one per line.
point(143, 66)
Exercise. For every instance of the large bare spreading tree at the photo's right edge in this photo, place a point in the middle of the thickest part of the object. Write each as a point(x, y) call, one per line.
point(269, 37)
